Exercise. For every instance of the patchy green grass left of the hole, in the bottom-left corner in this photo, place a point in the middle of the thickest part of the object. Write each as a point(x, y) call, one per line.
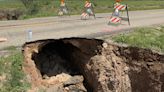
point(14, 79)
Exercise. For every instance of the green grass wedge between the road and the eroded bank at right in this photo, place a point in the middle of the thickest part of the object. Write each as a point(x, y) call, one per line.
point(149, 37)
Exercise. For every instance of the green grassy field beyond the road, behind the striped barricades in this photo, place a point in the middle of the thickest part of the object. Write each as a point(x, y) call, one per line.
point(41, 8)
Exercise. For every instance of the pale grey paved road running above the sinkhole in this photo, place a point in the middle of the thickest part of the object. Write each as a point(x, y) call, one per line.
point(72, 26)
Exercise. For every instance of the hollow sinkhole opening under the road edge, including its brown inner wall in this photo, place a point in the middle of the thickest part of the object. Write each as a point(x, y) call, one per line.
point(55, 57)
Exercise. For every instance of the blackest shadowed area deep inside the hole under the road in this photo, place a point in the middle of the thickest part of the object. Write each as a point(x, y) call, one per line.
point(55, 58)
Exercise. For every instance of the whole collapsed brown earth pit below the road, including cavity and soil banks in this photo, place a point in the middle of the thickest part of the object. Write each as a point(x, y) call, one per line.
point(91, 65)
